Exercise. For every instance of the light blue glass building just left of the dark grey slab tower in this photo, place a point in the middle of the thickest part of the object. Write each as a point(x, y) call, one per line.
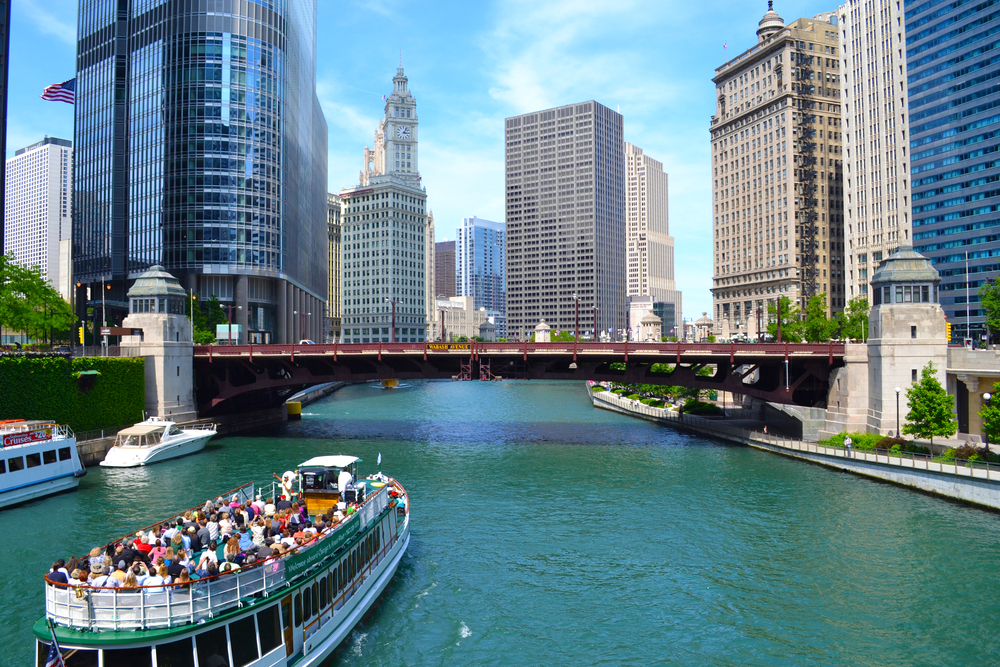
point(479, 268)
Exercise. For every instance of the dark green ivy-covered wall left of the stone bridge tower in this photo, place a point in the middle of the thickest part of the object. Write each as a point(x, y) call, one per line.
point(48, 388)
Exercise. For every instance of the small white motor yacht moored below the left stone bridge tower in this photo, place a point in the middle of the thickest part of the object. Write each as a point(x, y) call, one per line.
point(156, 440)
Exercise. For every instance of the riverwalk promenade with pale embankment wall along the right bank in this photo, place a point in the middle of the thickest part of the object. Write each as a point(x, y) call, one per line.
point(973, 482)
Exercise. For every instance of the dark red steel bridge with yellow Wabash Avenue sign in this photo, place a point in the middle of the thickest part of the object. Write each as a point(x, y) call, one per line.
point(240, 378)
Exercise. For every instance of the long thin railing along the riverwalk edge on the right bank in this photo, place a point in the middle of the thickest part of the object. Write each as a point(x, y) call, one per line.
point(958, 467)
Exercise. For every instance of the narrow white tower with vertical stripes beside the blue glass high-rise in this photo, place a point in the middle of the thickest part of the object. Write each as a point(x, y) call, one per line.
point(876, 178)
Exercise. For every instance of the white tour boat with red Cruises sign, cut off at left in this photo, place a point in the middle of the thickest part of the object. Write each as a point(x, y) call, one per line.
point(39, 458)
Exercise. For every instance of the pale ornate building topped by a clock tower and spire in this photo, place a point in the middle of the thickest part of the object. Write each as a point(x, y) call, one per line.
point(385, 232)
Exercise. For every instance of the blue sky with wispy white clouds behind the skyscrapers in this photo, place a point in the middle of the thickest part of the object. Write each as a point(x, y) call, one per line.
point(470, 66)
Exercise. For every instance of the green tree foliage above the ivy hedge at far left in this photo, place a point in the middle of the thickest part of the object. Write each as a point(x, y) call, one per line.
point(28, 303)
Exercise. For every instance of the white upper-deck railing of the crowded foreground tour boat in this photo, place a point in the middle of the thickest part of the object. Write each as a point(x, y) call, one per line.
point(172, 605)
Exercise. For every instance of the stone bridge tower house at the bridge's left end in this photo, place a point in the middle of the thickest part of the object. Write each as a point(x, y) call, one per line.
point(157, 306)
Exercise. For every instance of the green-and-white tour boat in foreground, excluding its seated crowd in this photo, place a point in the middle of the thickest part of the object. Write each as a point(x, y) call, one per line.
point(289, 610)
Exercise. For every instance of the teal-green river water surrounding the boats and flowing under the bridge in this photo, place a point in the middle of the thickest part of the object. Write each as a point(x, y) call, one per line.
point(549, 532)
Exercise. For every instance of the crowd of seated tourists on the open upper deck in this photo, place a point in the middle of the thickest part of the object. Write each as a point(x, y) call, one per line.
point(219, 538)
